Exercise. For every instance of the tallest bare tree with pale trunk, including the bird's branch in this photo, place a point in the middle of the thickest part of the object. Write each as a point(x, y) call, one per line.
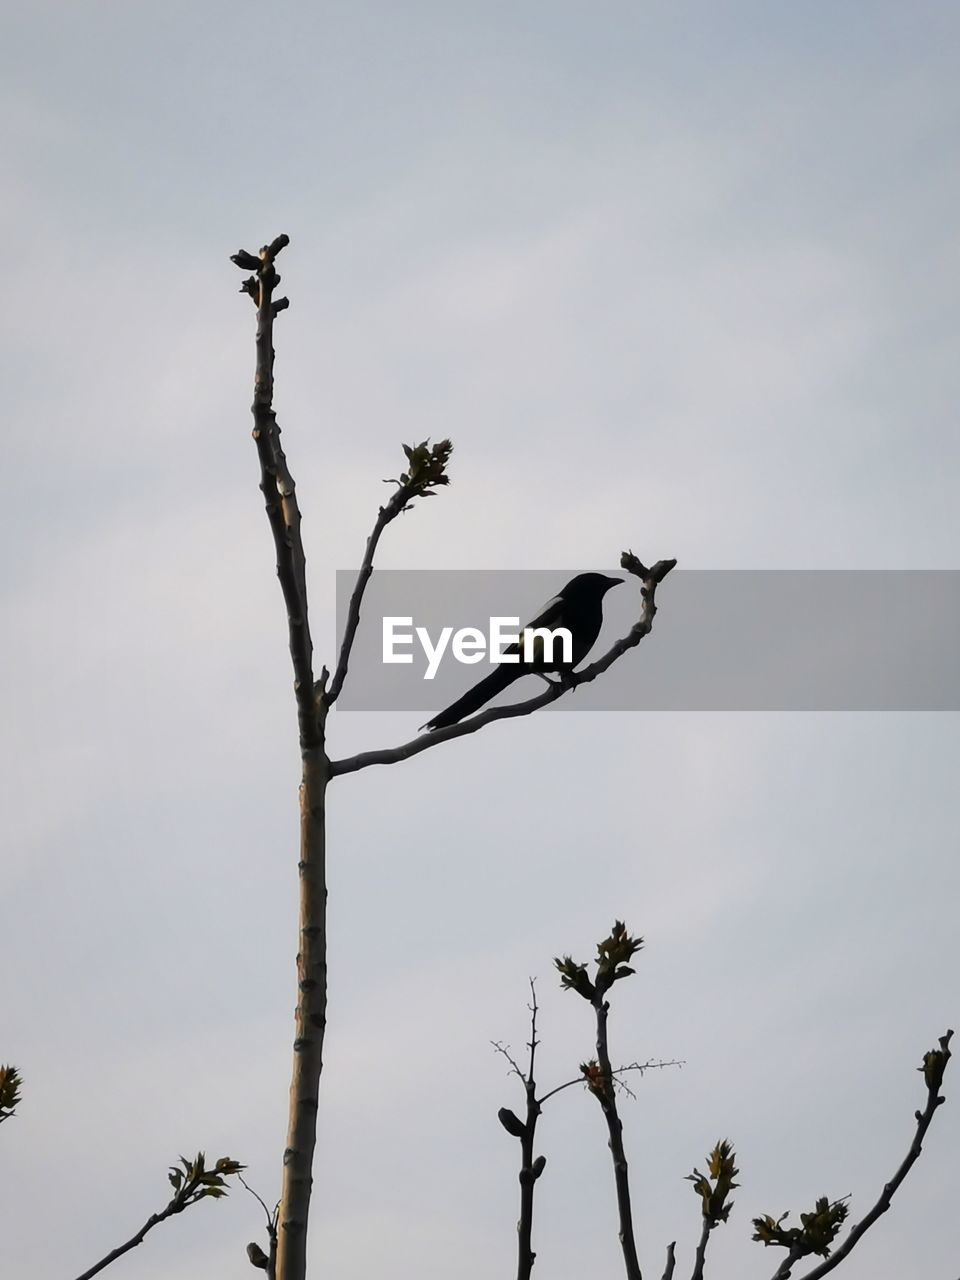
point(426, 473)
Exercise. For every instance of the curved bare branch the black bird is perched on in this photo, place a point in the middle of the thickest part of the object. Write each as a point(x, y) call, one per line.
point(651, 579)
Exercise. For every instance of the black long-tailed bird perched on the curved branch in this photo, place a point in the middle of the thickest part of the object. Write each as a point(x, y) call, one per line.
point(578, 607)
